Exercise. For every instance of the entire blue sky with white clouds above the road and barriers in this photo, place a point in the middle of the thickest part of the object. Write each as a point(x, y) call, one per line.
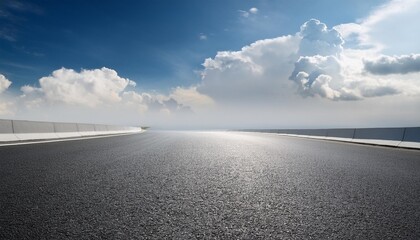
point(198, 64)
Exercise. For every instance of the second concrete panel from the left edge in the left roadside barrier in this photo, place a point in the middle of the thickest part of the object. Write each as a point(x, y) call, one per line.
point(31, 130)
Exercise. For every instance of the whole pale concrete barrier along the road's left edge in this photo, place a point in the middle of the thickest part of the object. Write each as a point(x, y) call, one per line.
point(20, 130)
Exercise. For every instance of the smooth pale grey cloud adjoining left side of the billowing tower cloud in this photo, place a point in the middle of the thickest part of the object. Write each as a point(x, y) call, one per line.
point(254, 73)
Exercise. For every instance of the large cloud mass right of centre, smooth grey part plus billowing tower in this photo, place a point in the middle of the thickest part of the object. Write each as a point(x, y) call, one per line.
point(314, 59)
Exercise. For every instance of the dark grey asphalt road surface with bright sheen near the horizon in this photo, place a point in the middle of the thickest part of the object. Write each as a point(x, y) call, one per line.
point(208, 185)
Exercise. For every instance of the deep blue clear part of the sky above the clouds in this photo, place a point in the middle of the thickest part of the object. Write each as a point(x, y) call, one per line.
point(157, 43)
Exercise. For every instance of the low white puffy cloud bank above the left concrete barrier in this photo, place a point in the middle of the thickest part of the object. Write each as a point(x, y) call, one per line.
point(100, 92)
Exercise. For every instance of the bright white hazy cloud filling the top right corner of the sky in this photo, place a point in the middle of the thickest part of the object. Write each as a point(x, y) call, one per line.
point(390, 28)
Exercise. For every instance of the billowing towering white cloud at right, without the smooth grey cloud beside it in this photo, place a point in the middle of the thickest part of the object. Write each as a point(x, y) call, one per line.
point(327, 69)
